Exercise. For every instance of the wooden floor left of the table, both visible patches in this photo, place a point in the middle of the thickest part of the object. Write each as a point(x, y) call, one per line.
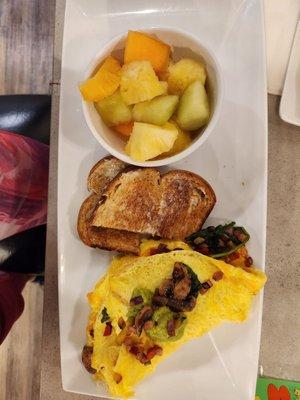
point(26, 52)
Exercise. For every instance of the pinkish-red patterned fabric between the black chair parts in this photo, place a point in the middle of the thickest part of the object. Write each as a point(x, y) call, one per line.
point(23, 183)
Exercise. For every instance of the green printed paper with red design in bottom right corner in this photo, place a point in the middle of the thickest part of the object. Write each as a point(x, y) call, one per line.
point(277, 389)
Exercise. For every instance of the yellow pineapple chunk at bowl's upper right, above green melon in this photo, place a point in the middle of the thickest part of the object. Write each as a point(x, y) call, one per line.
point(183, 73)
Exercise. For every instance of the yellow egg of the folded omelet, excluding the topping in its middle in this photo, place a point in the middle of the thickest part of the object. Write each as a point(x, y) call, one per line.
point(229, 299)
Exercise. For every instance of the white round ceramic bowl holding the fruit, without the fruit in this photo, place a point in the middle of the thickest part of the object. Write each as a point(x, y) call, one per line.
point(183, 45)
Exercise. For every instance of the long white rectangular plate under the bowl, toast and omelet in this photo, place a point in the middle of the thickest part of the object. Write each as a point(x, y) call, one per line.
point(222, 365)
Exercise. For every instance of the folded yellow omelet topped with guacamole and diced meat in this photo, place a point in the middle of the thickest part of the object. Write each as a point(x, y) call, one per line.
point(132, 289)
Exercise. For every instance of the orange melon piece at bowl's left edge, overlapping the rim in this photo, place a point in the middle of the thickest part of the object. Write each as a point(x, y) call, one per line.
point(104, 83)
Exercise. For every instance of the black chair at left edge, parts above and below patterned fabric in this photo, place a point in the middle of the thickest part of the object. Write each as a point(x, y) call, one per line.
point(28, 115)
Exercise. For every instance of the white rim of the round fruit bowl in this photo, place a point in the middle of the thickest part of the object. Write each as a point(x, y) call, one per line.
point(109, 45)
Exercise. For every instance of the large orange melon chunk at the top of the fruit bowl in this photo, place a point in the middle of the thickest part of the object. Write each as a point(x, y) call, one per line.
point(140, 46)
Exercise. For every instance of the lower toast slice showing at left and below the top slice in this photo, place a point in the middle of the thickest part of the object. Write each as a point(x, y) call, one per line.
point(108, 239)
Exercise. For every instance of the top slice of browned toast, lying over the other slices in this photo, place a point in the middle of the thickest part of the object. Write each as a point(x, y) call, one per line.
point(172, 206)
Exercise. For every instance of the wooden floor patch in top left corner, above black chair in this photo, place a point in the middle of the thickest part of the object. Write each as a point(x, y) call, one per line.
point(26, 45)
